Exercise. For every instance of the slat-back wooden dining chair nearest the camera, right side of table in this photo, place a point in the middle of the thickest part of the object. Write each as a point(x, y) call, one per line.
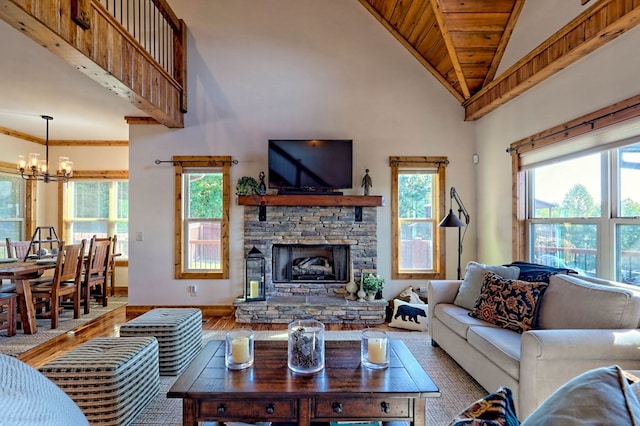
point(65, 282)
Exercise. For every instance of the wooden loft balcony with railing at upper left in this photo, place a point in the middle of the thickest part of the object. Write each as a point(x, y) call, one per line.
point(134, 48)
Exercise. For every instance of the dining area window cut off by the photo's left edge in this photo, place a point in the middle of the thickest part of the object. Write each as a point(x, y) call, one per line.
point(12, 212)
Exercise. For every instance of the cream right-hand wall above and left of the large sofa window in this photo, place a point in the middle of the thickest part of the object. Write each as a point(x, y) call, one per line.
point(608, 75)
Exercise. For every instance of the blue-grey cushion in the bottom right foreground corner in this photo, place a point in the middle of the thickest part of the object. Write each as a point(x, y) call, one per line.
point(598, 397)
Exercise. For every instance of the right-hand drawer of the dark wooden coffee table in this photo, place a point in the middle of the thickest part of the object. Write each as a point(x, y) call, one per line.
point(362, 407)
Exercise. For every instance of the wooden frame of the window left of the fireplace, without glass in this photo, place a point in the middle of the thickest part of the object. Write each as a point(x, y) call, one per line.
point(218, 163)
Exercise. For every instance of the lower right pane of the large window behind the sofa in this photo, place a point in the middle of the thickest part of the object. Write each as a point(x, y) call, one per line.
point(628, 254)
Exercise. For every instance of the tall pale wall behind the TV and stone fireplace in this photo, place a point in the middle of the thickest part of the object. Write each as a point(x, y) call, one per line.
point(288, 69)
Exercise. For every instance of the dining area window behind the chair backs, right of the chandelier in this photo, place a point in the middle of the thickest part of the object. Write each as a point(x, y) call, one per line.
point(96, 207)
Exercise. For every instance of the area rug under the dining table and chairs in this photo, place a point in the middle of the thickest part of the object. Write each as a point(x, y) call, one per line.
point(20, 343)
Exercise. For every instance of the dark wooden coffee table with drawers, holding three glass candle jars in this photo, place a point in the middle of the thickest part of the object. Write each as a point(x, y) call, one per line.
point(269, 391)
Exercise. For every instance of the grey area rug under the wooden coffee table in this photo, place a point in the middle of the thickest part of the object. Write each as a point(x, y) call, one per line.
point(458, 389)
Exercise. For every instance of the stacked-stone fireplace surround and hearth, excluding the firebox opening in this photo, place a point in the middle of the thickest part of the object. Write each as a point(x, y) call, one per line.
point(325, 302)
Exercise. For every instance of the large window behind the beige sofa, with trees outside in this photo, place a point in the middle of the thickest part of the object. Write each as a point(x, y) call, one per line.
point(584, 213)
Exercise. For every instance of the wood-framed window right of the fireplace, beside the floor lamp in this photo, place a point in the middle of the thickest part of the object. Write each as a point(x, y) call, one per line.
point(417, 193)
